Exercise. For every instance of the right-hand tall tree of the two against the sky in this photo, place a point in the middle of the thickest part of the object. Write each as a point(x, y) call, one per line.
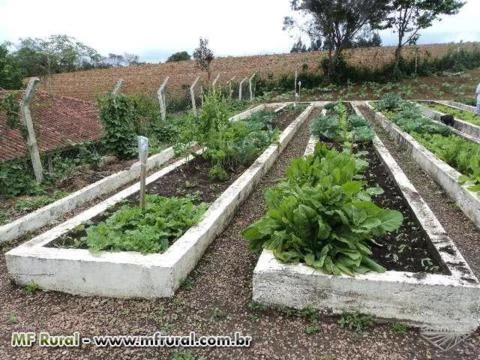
point(409, 17)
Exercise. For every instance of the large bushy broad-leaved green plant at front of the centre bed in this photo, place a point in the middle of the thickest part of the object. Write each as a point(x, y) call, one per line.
point(323, 216)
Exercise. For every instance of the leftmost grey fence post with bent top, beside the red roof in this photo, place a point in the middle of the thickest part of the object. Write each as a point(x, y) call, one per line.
point(31, 139)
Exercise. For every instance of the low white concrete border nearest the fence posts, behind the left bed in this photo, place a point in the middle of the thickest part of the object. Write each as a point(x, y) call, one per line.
point(47, 214)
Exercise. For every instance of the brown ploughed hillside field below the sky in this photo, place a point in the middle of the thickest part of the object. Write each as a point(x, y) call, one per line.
point(87, 85)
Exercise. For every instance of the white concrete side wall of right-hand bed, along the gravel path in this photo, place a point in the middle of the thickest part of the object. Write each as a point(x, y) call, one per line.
point(446, 176)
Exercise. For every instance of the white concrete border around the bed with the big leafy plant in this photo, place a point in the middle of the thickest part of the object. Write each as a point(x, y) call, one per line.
point(432, 301)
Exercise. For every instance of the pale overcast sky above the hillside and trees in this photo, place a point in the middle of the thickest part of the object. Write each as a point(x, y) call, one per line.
point(154, 29)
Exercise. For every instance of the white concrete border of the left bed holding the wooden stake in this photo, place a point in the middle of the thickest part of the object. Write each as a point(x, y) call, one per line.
point(131, 274)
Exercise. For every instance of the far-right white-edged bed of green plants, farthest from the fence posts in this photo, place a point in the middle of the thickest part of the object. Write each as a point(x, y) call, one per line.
point(466, 122)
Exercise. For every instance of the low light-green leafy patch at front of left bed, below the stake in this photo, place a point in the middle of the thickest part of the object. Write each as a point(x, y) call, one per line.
point(148, 231)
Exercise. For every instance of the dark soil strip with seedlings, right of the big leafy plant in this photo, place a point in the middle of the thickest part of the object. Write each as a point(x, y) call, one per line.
point(409, 248)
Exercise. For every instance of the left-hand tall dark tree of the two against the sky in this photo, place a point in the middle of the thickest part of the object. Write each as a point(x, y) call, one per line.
point(337, 22)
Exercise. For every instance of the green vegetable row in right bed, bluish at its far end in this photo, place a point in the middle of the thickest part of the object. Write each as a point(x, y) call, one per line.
point(460, 153)
